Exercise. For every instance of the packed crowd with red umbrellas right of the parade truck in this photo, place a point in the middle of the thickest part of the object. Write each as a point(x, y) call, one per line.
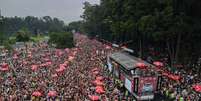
point(187, 84)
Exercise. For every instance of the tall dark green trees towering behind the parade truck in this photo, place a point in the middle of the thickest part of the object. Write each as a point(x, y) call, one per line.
point(172, 27)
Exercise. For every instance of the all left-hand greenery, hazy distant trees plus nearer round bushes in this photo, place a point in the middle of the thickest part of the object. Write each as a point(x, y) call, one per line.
point(21, 29)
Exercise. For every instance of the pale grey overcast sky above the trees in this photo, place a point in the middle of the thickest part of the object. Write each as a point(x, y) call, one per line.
point(67, 10)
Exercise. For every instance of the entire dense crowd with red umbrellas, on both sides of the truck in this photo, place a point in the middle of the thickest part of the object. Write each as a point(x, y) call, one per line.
point(41, 73)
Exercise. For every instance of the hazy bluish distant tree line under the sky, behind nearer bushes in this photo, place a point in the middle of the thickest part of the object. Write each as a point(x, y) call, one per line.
point(34, 24)
